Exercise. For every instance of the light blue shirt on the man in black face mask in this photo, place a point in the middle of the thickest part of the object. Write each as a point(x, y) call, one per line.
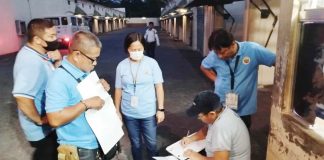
point(30, 73)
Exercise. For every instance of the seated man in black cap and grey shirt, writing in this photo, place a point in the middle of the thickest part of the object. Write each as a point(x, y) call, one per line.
point(226, 134)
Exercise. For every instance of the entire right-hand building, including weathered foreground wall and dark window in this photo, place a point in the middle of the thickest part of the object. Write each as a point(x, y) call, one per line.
point(294, 30)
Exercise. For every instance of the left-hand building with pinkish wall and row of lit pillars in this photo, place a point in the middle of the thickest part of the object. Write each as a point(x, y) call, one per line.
point(17, 14)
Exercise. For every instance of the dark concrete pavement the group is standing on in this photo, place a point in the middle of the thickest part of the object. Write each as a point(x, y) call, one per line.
point(180, 67)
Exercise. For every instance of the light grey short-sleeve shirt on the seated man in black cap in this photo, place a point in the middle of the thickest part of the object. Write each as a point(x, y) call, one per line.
point(229, 133)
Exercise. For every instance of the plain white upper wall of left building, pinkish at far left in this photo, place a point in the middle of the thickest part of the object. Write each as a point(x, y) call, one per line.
point(25, 10)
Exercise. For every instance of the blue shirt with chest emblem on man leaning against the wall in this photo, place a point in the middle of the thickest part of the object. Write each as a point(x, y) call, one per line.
point(250, 55)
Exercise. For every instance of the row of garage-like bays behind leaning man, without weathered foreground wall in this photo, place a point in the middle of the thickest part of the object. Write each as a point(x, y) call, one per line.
point(192, 21)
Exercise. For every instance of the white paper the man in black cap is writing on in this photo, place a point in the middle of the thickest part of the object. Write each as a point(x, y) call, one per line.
point(177, 150)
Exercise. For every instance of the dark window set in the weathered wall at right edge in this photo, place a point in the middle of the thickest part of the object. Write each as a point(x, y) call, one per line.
point(309, 85)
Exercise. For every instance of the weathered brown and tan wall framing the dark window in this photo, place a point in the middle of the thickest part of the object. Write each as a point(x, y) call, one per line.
point(289, 137)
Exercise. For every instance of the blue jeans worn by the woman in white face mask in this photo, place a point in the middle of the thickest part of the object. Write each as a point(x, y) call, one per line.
point(138, 128)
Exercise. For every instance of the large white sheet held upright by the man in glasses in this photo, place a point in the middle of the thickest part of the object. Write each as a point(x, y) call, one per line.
point(105, 122)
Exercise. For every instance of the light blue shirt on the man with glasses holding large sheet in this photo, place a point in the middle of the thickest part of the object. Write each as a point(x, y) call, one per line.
point(61, 93)
